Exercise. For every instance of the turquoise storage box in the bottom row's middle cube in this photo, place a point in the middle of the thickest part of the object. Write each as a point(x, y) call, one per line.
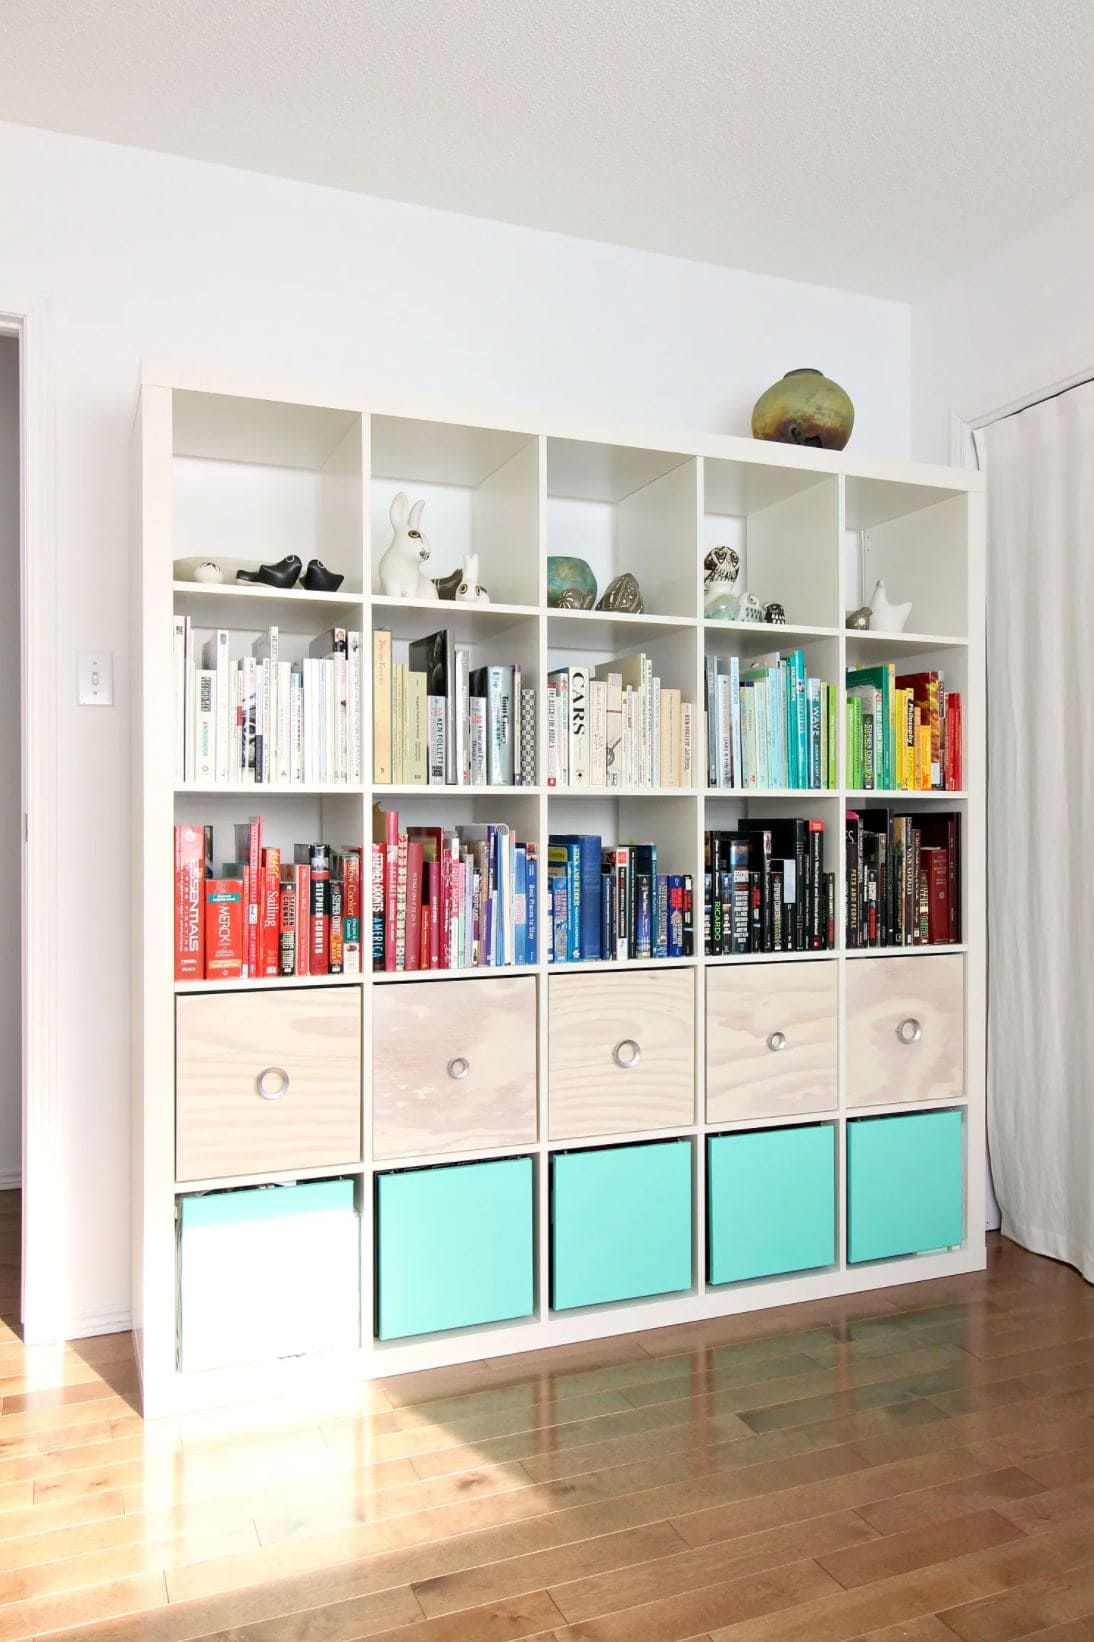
point(620, 1224)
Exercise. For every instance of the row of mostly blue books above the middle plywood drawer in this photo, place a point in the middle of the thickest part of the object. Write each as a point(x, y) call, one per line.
point(612, 904)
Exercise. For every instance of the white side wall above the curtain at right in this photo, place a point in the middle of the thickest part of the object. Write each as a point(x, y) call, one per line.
point(1013, 324)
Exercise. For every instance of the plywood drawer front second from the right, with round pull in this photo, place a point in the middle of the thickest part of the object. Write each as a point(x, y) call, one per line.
point(771, 1040)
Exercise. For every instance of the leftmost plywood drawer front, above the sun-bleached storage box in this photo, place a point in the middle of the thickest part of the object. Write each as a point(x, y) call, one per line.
point(306, 1050)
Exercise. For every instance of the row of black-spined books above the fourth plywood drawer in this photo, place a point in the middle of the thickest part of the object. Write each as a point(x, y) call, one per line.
point(766, 889)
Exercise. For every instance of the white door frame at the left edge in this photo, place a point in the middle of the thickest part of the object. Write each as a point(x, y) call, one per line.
point(27, 316)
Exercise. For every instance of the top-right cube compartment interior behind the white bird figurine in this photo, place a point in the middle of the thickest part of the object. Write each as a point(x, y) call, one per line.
point(916, 539)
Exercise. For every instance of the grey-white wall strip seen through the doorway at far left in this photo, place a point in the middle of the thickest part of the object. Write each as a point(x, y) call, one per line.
point(11, 777)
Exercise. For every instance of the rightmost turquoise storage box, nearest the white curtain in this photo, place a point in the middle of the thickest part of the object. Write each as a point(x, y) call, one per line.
point(904, 1185)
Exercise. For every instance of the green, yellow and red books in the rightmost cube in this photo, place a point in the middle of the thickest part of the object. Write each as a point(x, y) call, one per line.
point(904, 732)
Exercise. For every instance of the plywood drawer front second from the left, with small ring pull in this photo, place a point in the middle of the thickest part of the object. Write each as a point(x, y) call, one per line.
point(454, 1066)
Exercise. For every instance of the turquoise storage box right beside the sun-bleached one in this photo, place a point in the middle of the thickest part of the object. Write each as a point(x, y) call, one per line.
point(454, 1247)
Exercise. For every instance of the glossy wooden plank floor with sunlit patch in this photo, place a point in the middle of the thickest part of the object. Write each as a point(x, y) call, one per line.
point(909, 1467)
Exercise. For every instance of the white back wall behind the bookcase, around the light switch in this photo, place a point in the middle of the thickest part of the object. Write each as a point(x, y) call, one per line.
point(149, 255)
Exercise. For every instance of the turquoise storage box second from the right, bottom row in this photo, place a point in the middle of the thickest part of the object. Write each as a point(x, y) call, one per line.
point(771, 1203)
